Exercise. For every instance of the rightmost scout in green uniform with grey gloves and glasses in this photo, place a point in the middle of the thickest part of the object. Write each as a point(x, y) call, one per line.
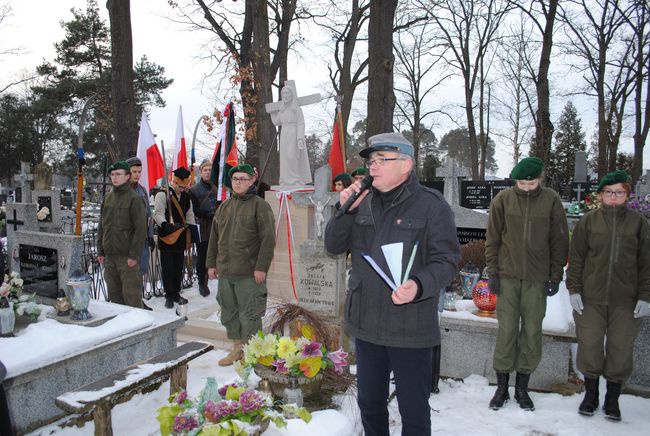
point(609, 286)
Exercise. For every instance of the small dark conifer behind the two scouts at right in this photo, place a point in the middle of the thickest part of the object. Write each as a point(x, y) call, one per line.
point(569, 138)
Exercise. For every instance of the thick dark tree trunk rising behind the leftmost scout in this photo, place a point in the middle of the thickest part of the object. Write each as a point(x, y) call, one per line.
point(125, 129)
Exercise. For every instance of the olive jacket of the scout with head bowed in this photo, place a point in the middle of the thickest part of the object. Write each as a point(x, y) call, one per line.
point(527, 237)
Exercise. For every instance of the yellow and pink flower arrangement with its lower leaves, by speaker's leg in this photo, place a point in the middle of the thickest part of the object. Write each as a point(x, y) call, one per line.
point(278, 359)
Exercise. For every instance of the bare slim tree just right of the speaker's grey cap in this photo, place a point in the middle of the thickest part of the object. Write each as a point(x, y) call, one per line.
point(418, 60)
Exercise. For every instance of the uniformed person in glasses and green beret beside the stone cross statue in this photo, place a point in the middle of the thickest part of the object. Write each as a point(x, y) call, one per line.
point(239, 254)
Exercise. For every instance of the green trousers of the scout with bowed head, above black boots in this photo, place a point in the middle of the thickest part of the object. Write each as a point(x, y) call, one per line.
point(519, 349)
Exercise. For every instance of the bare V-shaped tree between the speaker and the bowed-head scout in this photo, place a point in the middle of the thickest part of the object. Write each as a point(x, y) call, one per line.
point(468, 29)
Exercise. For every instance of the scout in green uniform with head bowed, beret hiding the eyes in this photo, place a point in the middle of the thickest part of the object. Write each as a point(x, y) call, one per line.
point(526, 248)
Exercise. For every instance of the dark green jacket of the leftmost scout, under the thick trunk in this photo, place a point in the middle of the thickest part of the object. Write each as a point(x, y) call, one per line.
point(122, 229)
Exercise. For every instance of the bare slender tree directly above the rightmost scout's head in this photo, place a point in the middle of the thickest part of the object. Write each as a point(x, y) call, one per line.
point(595, 28)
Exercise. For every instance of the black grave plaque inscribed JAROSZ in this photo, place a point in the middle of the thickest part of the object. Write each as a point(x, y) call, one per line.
point(39, 270)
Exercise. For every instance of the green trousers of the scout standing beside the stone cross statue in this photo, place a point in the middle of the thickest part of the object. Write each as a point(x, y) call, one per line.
point(243, 303)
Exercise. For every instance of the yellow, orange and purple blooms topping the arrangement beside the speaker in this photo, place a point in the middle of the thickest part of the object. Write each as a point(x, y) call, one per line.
point(292, 356)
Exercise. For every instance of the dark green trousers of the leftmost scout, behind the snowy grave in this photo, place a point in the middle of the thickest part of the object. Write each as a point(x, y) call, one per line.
point(123, 282)
